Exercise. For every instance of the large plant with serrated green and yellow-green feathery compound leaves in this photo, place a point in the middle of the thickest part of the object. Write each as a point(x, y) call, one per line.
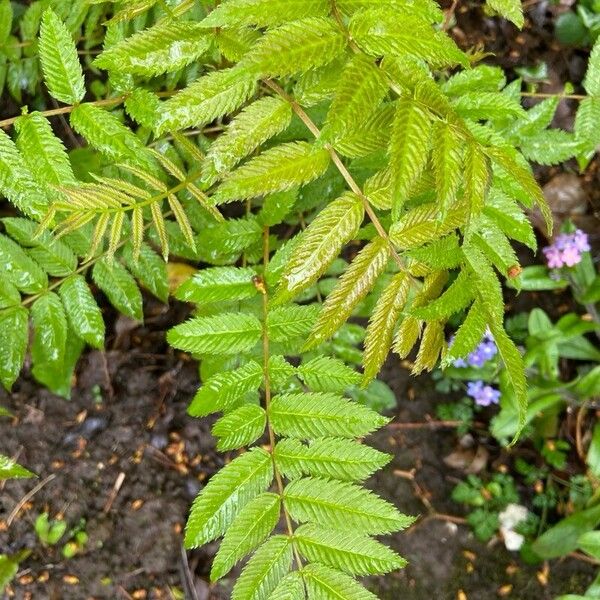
point(320, 159)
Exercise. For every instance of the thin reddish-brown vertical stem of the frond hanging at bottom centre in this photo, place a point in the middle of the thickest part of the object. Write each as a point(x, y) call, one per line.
point(262, 287)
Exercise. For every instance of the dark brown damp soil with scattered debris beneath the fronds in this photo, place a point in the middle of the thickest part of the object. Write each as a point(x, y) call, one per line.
point(139, 433)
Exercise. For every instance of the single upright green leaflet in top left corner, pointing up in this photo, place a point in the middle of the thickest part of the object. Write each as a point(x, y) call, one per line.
point(60, 63)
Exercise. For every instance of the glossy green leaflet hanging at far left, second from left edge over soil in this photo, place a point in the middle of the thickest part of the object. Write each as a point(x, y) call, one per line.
point(49, 332)
